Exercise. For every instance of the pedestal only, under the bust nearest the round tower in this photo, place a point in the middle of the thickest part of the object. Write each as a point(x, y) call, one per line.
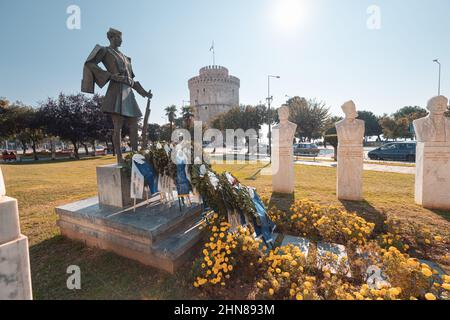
point(283, 171)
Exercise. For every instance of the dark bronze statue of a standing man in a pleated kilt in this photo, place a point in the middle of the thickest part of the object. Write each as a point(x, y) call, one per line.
point(119, 100)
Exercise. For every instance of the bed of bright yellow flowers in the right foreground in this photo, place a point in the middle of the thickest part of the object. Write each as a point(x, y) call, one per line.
point(284, 272)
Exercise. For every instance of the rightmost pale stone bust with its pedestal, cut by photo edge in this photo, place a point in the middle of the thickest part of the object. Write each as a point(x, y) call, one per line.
point(432, 189)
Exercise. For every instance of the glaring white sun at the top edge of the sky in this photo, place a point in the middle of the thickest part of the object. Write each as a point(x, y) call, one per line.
point(288, 14)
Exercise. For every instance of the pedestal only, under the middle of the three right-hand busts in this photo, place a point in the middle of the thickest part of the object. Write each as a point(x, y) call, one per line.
point(349, 172)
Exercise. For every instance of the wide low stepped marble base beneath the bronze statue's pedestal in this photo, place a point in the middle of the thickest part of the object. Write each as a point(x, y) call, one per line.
point(155, 235)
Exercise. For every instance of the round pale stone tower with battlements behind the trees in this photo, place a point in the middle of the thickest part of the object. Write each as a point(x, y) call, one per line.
point(213, 92)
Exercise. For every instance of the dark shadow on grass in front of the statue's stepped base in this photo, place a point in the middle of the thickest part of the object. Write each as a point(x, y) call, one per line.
point(104, 275)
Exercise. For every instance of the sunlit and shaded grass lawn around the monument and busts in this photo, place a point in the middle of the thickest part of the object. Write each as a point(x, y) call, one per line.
point(41, 187)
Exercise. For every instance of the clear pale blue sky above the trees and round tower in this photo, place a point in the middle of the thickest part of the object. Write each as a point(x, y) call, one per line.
point(321, 48)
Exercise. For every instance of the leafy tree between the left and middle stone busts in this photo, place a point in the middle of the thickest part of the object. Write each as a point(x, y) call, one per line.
point(311, 117)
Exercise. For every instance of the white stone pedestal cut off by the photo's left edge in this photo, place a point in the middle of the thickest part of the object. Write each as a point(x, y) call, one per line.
point(15, 276)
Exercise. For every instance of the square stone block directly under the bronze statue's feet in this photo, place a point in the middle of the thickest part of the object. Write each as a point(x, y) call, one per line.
point(113, 186)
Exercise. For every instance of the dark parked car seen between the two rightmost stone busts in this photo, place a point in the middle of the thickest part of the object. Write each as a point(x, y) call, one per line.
point(395, 151)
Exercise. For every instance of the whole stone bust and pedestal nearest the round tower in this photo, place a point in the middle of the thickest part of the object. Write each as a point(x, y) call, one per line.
point(283, 176)
